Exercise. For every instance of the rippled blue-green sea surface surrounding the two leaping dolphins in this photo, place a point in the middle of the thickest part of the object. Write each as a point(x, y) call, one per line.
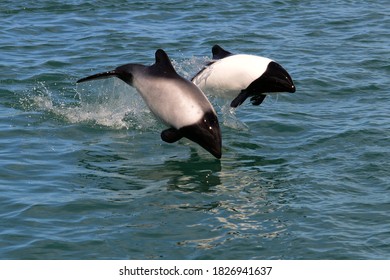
point(85, 175)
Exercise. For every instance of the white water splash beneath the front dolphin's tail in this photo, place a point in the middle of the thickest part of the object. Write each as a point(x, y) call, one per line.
point(109, 103)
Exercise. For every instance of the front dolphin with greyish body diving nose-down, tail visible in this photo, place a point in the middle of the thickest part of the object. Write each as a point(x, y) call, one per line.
point(174, 100)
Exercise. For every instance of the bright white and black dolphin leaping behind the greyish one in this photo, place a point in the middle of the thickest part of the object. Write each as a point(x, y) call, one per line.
point(239, 76)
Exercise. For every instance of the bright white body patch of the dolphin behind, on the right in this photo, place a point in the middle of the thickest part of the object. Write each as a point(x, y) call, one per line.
point(230, 75)
